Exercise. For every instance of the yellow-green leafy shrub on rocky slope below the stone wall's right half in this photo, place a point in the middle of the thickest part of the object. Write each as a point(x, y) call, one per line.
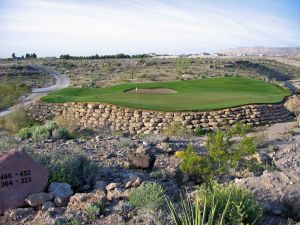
point(222, 157)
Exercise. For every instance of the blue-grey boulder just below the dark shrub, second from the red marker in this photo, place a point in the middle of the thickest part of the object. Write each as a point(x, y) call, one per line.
point(62, 193)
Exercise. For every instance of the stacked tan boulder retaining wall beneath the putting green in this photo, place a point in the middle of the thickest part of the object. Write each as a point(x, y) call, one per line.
point(97, 115)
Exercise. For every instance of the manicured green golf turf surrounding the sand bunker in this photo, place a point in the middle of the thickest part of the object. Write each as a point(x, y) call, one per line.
point(192, 95)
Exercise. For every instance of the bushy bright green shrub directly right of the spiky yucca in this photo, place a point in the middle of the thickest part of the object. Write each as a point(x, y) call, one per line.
point(243, 207)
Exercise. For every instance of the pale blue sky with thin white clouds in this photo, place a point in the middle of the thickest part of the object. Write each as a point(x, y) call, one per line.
point(55, 27)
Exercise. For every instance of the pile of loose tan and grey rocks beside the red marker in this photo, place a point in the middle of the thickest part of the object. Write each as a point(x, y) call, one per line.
point(59, 205)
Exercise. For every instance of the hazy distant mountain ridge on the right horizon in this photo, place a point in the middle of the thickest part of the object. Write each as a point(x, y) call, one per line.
point(268, 51)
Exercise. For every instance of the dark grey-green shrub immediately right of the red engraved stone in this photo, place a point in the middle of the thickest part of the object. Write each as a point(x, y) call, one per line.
point(76, 170)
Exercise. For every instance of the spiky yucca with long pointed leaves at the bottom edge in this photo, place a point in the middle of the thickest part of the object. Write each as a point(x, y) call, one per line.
point(195, 213)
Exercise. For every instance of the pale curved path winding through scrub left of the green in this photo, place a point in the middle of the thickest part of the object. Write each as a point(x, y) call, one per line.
point(61, 82)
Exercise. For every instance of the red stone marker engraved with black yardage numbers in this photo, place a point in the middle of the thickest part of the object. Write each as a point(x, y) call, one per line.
point(20, 176)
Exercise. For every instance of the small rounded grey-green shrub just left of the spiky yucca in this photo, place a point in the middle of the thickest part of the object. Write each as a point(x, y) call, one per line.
point(149, 196)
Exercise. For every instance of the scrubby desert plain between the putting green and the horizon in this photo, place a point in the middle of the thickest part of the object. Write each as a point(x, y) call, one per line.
point(104, 72)
